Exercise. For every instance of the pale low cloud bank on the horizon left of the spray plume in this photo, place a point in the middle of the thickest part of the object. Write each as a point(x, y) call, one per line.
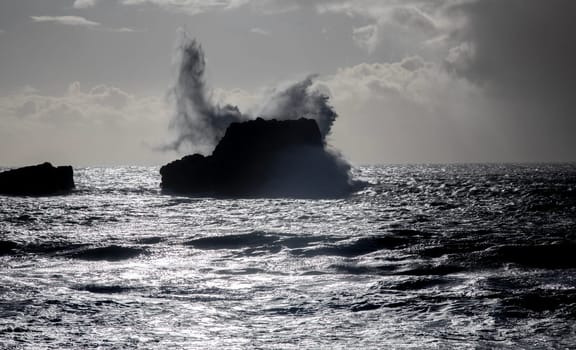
point(102, 125)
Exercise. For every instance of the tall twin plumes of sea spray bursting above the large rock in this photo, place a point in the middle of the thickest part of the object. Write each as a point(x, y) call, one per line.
point(200, 123)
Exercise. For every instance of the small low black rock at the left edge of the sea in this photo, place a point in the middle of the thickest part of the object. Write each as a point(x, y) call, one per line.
point(37, 180)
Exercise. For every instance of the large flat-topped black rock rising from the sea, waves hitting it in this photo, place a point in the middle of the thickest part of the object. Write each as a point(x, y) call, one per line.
point(262, 158)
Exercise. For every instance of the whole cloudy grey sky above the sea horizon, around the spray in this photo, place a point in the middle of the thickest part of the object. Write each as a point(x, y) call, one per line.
point(88, 82)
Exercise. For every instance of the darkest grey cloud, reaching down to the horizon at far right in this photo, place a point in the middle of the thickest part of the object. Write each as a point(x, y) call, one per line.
point(522, 54)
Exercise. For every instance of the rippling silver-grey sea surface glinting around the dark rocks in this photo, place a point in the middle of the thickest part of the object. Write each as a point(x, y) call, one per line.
point(423, 257)
